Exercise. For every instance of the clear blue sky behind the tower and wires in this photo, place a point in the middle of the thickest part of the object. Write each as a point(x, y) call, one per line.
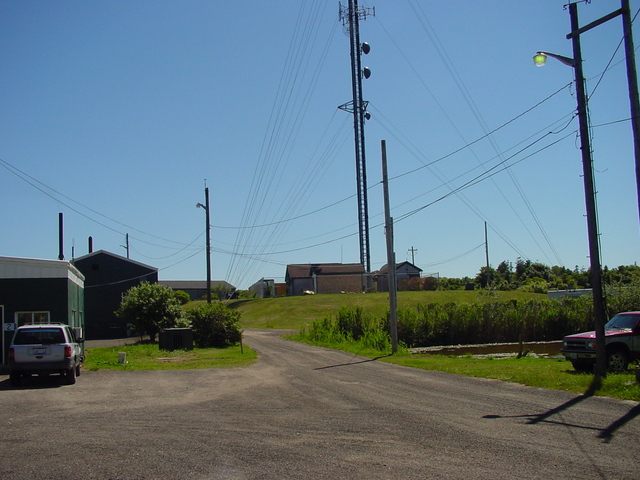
point(115, 113)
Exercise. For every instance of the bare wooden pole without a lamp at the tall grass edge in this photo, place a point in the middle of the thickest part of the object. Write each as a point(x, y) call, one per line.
point(391, 256)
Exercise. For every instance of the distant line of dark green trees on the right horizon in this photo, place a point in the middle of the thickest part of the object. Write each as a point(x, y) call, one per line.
point(537, 277)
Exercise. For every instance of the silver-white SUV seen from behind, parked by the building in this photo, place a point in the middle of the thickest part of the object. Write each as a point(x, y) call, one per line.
point(45, 349)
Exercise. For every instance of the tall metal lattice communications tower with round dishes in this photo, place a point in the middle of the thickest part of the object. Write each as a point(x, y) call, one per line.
point(350, 16)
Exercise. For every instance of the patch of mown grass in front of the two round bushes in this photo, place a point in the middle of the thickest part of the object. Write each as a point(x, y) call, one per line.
point(147, 356)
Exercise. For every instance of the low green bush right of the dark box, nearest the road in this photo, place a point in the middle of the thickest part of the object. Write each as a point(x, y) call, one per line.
point(214, 325)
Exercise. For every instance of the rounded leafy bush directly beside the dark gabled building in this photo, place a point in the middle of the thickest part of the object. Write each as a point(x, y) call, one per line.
point(150, 308)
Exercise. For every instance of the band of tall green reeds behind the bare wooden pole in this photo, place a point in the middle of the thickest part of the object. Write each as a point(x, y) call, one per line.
point(487, 321)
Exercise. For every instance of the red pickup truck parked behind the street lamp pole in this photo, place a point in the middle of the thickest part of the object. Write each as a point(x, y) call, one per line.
point(622, 339)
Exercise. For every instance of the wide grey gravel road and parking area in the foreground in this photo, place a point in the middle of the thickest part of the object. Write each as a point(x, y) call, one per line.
point(309, 413)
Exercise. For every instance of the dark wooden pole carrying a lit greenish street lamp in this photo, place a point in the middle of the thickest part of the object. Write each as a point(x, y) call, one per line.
point(589, 189)
